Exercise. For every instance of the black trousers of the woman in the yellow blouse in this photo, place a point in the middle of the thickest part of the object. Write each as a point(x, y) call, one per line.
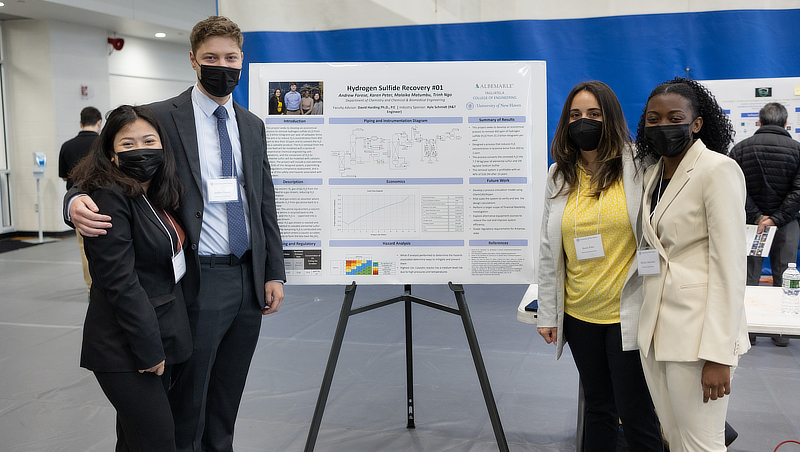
point(614, 388)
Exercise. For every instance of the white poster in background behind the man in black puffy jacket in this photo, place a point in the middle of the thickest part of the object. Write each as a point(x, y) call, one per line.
point(742, 99)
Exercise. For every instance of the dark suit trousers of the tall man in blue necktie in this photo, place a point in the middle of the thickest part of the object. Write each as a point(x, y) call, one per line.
point(207, 389)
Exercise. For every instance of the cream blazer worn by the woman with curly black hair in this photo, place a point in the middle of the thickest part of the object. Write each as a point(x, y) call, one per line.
point(694, 309)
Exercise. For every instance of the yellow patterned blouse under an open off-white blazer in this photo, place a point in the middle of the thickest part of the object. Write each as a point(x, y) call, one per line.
point(593, 286)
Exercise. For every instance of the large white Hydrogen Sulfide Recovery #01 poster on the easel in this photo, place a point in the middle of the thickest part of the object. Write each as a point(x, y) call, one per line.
point(406, 172)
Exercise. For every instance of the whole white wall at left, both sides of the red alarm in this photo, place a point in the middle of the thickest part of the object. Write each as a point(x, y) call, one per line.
point(46, 64)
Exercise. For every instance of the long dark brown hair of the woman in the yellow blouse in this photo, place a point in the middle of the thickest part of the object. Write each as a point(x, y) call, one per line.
point(609, 151)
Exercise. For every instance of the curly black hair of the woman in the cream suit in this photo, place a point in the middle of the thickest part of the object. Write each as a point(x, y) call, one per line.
point(717, 130)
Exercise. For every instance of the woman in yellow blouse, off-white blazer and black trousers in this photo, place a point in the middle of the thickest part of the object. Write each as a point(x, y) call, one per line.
point(589, 290)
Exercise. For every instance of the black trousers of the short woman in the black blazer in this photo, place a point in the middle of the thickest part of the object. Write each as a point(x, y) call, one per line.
point(144, 418)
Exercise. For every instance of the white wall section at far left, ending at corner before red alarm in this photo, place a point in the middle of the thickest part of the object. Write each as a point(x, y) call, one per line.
point(46, 64)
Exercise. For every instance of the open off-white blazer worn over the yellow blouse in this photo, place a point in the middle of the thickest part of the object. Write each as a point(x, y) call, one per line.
point(552, 262)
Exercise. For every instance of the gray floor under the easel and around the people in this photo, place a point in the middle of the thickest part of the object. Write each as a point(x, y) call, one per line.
point(48, 403)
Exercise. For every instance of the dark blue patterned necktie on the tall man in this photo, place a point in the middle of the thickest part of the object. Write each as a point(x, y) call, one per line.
point(237, 230)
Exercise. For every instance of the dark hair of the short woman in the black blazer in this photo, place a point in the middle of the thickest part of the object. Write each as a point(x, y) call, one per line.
point(97, 170)
